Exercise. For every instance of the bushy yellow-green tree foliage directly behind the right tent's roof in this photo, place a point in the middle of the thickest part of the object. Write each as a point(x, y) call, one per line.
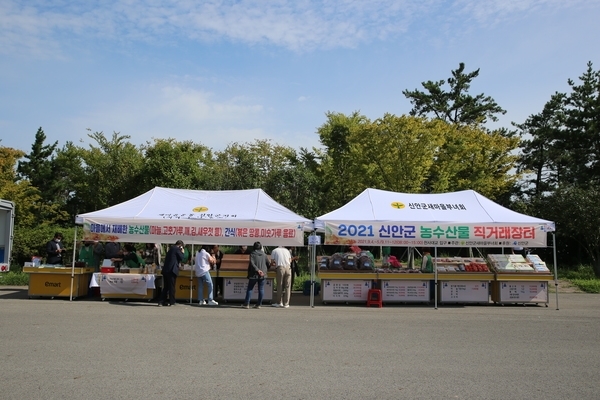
point(417, 155)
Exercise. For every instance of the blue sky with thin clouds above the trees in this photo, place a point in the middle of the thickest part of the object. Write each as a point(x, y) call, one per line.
point(223, 71)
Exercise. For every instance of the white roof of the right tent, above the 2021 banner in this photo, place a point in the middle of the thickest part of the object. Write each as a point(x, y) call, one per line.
point(465, 206)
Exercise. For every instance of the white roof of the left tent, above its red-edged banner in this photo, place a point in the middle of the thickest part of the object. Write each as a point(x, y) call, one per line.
point(197, 205)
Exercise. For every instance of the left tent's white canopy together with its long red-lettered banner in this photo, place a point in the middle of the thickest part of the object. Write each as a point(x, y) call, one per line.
point(163, 215)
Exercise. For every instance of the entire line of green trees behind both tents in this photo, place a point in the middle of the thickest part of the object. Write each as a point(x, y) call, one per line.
point(547, 166)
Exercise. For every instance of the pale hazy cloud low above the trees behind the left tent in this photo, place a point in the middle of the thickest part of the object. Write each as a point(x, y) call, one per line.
point(172, 110)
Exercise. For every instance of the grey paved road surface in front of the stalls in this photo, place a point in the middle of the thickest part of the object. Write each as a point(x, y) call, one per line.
point(89, 349)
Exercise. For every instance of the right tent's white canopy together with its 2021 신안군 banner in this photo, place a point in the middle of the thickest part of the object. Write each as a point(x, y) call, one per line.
point(457, 219)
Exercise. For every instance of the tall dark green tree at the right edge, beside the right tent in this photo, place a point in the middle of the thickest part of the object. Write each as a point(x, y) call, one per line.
point(560, 158)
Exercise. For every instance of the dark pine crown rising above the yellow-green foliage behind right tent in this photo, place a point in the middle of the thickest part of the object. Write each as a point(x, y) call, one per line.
point(454, 105)
